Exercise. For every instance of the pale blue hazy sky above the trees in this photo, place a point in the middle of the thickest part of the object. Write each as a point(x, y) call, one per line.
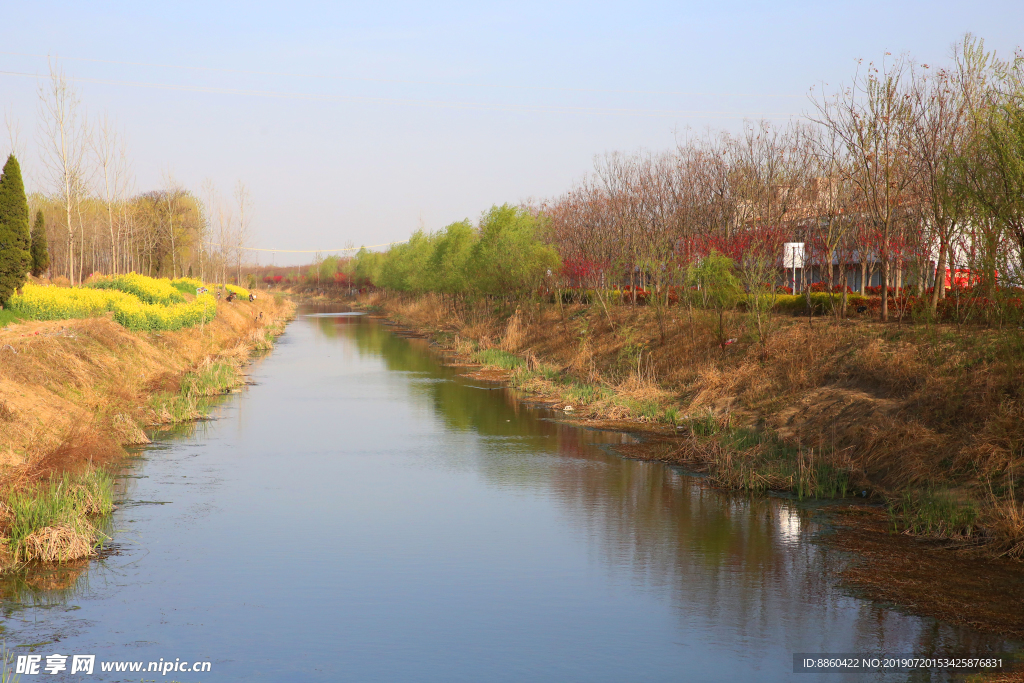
point(391, 115)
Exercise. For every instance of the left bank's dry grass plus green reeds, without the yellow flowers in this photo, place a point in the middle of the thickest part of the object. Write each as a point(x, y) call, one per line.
point(74, 393)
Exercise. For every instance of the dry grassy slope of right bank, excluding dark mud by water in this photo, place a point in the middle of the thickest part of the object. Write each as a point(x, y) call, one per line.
point(928, 419)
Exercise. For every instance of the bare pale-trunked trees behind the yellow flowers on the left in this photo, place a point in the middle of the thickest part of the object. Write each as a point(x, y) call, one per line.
point(89, 218)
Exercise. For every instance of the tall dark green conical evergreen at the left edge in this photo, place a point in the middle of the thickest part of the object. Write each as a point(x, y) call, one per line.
point(15, 257)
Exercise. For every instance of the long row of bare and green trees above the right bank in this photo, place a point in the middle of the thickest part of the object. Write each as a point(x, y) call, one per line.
point(904, 174)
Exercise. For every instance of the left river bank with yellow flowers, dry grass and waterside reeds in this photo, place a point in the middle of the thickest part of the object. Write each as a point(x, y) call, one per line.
point(121, 357)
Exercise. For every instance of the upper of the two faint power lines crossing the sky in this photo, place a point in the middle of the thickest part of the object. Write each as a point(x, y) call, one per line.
point(405, 81)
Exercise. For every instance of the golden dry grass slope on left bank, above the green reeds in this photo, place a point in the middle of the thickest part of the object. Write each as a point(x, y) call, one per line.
point(77, 388)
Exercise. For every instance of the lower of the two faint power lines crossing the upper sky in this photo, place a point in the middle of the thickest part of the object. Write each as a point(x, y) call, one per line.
point(412, 103)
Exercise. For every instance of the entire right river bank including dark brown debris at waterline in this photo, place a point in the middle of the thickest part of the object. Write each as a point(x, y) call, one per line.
point(847, 413)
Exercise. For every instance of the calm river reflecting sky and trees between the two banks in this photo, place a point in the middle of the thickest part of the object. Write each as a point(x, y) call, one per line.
point(362, 513)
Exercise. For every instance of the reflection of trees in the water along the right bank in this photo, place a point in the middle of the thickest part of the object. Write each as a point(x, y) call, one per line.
point(734, 564)
